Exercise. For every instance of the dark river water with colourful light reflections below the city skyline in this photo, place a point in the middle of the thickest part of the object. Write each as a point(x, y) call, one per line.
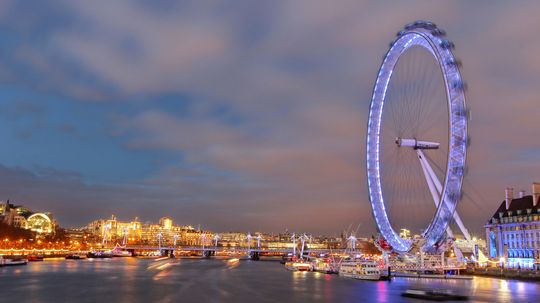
point(197, 280)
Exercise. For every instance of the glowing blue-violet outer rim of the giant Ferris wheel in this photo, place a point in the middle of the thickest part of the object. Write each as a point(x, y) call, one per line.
point(440, 48)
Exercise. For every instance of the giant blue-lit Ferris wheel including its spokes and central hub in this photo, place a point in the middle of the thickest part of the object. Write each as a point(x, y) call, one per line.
point(410, 106)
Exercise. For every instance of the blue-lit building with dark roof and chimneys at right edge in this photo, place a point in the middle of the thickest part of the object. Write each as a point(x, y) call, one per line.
point(513, 232)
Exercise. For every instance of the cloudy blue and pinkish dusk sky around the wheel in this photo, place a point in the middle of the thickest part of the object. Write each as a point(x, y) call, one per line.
point(242, 115)
